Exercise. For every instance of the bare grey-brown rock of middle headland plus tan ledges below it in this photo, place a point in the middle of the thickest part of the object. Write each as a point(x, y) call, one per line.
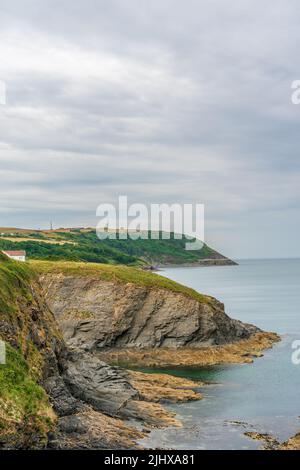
point(107, 323)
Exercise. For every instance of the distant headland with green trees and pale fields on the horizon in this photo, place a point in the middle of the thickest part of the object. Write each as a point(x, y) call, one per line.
point(83, 244)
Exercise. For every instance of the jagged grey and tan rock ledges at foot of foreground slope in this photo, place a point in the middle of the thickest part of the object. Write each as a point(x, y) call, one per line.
point(107, 407)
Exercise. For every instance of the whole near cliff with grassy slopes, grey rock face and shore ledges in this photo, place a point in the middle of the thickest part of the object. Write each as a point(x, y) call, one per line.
point(58, 320)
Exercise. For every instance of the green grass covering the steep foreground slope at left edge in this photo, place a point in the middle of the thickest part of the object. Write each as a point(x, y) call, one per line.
point(24, 406)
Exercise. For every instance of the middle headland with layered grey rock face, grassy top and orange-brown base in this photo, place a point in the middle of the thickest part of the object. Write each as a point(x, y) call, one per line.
point(147, 322)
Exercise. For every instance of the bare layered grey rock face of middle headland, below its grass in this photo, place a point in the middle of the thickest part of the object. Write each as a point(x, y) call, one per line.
point(95, 314)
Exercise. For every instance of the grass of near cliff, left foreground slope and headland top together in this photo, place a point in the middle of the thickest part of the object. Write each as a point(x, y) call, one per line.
point(25, 413)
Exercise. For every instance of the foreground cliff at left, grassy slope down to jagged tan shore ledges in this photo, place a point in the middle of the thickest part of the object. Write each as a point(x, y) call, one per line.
point(56, 398)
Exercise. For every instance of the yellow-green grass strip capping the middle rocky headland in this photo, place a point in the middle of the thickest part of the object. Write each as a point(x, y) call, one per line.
point(118, 273)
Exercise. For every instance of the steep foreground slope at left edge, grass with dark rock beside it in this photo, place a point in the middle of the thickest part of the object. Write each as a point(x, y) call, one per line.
point(33, 344)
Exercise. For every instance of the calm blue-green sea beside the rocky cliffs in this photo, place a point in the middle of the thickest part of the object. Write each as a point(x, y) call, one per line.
point(260, 397)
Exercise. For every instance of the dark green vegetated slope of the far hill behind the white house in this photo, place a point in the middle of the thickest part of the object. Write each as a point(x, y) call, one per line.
point(87, 247)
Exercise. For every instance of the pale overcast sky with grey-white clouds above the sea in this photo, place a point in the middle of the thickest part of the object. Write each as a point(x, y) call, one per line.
point(164, 101)
